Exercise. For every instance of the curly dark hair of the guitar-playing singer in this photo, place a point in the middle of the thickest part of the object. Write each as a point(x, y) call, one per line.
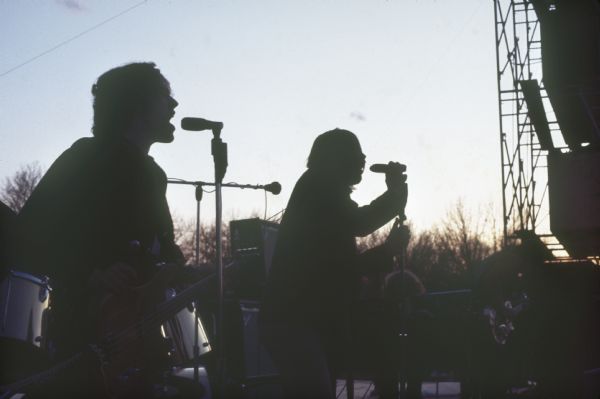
point(121, 92)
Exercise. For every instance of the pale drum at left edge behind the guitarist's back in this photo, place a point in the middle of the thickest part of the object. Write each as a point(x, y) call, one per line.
point(24, 307)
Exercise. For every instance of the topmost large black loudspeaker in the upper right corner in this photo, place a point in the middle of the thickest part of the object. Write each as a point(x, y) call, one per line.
point(570, 35)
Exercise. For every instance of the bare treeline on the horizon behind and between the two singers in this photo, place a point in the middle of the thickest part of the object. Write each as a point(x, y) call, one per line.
point(444, 257)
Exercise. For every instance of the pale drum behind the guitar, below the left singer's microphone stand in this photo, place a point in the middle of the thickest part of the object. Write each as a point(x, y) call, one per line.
point(180, 330)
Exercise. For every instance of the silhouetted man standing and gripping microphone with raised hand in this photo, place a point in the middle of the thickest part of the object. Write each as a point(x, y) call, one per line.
point(315, 263)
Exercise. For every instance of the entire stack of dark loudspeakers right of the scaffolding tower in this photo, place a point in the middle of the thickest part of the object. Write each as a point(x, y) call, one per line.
point(570, 42)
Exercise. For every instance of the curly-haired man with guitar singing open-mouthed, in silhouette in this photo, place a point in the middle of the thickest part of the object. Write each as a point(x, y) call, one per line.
point(100, 198)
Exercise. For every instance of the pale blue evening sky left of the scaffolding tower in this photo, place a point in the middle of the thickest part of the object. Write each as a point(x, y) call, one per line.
point(414, 79)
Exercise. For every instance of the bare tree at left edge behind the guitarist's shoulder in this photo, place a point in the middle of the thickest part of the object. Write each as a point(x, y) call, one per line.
point(16, 189)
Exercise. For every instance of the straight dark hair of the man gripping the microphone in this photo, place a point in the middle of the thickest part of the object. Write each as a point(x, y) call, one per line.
point(328, 147)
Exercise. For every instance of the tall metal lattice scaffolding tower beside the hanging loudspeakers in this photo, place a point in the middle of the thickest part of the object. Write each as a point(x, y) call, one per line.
point(524, 162)
